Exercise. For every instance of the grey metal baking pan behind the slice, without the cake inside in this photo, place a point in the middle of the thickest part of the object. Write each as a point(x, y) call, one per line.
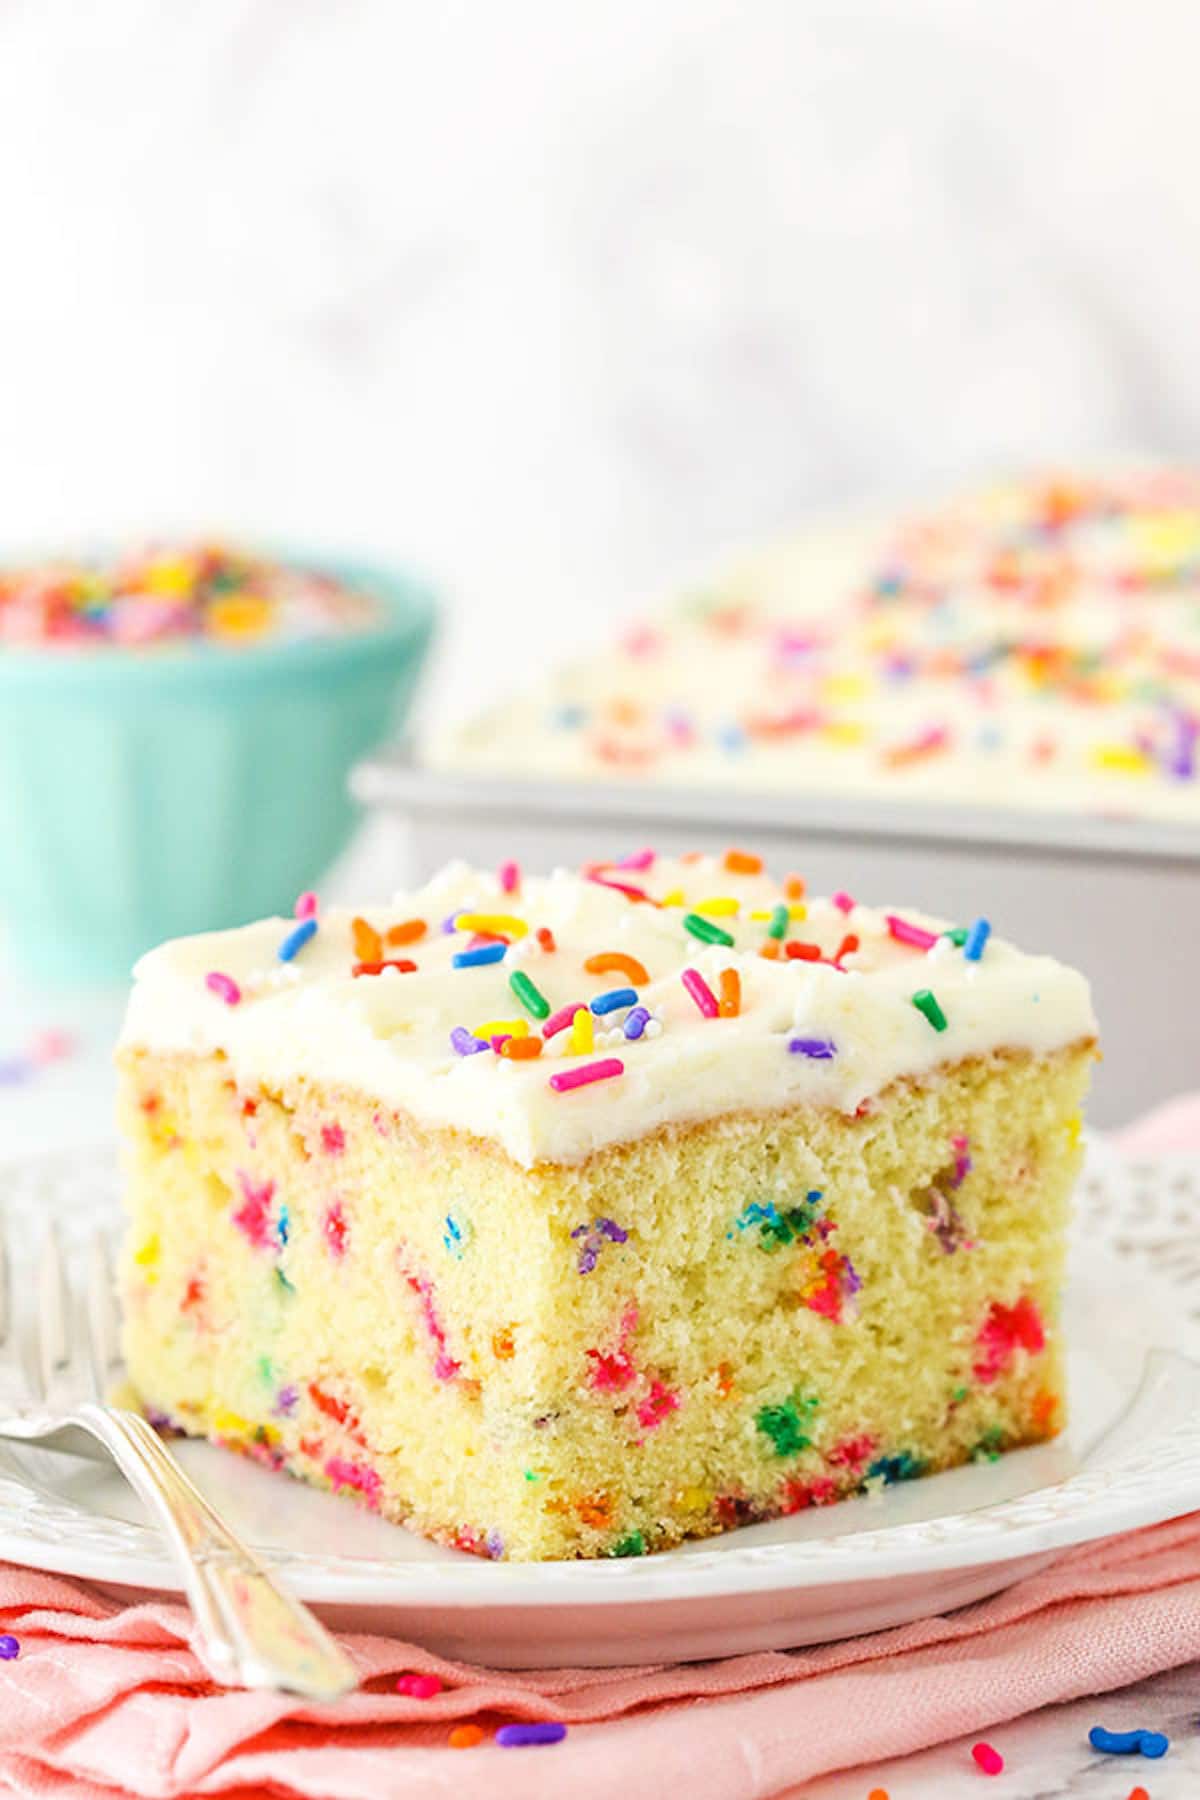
point(1118, 897)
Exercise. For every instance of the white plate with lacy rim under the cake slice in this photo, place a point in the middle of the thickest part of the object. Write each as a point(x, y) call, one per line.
point(1131, 1457)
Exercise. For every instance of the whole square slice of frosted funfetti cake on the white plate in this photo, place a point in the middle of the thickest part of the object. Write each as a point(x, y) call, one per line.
point(578, 1216)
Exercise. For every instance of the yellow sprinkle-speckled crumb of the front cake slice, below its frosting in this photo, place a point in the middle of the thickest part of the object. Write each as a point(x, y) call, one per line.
point(712, 1324)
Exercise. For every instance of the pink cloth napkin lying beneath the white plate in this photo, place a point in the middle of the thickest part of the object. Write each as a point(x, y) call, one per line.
point(111, 1702)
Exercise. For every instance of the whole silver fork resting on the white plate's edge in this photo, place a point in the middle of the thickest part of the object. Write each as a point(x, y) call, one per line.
point(251, 1632)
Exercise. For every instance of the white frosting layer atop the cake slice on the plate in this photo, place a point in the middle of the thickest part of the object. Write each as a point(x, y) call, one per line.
point(388, 1036)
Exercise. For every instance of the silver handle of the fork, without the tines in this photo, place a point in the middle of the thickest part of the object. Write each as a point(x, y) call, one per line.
point(251, 1632)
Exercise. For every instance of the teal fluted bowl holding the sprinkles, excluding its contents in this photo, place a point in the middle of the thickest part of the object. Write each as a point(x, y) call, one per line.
point(148, 795)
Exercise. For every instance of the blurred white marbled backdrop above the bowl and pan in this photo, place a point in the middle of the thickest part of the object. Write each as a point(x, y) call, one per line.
point(559, 300)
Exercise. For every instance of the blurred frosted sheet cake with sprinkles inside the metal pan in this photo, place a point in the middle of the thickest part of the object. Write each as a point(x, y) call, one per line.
point(1030, 645)
